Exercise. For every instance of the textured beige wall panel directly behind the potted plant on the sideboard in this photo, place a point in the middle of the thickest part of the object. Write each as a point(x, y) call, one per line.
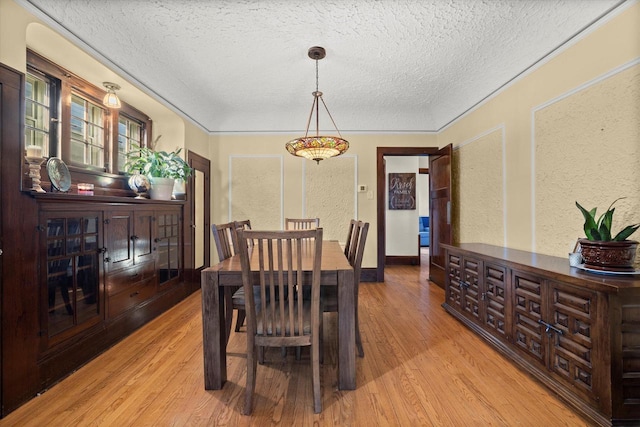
point(587, 149)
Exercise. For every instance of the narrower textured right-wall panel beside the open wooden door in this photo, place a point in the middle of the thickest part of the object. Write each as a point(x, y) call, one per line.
point(478, 202)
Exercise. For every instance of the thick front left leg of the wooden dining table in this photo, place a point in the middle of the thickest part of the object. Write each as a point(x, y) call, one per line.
point(214, 341)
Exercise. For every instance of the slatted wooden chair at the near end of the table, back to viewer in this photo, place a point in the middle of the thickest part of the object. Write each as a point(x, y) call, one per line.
point(287, 319)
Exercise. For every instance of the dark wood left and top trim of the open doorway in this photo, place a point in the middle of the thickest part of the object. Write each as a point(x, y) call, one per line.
point(381, 182)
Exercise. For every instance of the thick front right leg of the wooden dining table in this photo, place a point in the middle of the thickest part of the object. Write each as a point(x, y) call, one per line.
point(346, 331)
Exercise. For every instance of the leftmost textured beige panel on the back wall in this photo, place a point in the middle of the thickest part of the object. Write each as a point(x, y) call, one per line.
point(255, 186)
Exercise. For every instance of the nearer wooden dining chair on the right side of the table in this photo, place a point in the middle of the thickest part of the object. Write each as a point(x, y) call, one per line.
point(330, 294)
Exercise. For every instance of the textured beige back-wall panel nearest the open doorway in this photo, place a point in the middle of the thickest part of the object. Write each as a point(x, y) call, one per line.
point(329, 194)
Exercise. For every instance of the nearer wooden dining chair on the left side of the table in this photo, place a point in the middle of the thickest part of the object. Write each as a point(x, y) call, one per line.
point(225, 238)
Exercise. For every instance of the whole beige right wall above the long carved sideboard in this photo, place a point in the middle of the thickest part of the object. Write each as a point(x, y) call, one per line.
point(570, 131)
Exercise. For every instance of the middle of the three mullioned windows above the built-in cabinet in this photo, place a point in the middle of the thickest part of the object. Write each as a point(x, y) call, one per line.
point(87, 132)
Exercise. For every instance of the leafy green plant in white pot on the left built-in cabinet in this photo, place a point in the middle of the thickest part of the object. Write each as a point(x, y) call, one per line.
point(161, 167)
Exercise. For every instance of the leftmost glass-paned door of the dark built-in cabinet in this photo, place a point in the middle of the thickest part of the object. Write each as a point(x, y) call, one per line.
point(73, 268)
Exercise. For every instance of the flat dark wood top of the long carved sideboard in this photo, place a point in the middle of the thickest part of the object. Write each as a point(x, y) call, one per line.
point(554, 267)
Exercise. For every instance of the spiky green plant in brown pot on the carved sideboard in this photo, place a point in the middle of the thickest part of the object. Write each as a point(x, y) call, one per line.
point(603, 250)
